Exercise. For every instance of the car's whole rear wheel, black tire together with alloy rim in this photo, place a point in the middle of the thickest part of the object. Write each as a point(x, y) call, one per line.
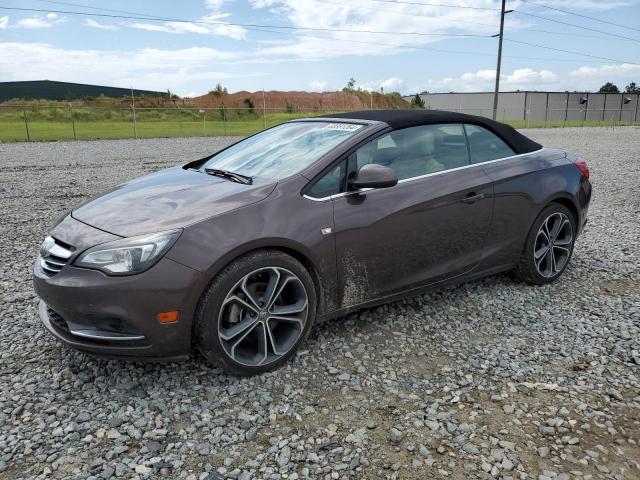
point(537, 267)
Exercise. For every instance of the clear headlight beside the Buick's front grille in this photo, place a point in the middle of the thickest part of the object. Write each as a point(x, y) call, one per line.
point(128, 255)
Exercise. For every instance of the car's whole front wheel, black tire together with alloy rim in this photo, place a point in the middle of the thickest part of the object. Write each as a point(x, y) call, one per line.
point(236, 331)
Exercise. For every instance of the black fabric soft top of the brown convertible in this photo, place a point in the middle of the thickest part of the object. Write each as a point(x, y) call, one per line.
point(397, 119)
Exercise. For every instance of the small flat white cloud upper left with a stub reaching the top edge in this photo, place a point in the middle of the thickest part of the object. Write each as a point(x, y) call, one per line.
point(210, 24)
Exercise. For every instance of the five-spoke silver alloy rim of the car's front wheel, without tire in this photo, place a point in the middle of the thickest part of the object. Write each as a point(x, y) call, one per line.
point(263, 316)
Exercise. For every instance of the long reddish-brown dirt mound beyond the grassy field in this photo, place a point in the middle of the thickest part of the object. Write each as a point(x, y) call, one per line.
point(301, 100)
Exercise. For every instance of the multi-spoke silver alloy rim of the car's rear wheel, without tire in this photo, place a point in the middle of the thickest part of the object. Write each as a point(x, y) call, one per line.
point(553, 245)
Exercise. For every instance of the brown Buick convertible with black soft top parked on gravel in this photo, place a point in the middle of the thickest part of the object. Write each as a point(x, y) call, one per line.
point(241, 252)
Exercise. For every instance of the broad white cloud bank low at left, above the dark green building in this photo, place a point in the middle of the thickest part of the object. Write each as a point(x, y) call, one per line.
point(148, 68)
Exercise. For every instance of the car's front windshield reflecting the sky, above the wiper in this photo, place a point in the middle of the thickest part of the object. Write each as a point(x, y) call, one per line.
point(283, 150)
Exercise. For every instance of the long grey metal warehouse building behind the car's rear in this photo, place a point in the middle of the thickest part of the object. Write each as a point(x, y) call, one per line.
point(541, 106)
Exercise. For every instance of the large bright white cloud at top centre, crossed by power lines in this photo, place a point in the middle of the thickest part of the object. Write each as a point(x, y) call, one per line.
point(366, 16)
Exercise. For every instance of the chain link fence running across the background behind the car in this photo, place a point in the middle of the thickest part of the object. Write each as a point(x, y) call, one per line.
point(45, 122)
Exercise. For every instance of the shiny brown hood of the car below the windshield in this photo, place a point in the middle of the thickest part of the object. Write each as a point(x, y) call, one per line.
point(167, 199)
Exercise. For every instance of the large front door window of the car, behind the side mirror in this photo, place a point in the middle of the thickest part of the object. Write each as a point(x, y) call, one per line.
point(415, 151)
